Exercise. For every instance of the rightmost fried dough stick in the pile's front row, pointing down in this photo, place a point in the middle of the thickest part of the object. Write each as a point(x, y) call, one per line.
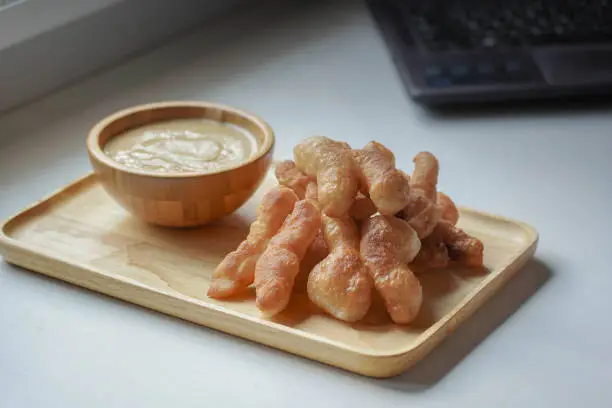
point(393, 279)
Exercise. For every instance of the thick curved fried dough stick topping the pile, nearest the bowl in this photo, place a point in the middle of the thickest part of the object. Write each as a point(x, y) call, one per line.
point(332, 165)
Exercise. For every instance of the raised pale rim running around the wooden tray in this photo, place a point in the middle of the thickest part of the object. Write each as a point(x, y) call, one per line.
point(423, 342)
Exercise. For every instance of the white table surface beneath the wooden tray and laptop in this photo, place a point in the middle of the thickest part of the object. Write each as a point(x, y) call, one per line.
point(544, 341)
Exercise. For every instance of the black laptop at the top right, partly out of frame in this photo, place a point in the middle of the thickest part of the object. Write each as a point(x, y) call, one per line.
point(457, 51)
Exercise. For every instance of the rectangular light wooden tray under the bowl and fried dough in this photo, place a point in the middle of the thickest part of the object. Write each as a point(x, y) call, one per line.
point(81, 236)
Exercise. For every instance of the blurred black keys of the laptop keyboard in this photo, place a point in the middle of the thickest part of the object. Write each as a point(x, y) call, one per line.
point(487, 24)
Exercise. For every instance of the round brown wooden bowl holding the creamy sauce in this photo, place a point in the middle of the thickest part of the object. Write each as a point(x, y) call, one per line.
point(180, 199)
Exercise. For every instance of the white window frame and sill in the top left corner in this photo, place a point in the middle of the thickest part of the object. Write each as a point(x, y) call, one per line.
point(47, 44)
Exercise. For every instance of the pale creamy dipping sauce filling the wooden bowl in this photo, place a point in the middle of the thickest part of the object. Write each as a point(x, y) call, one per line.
point(182, 145)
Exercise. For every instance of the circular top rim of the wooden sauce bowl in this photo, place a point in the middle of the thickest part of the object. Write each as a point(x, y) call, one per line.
point(96, 151)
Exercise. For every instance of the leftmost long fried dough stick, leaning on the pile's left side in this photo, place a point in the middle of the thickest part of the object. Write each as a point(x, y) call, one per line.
point(237, 269)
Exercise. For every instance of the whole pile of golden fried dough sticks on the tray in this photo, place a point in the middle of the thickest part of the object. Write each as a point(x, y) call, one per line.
point(354, 223)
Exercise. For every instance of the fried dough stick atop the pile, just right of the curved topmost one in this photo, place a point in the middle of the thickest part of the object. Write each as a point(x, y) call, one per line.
point(380, 180)
